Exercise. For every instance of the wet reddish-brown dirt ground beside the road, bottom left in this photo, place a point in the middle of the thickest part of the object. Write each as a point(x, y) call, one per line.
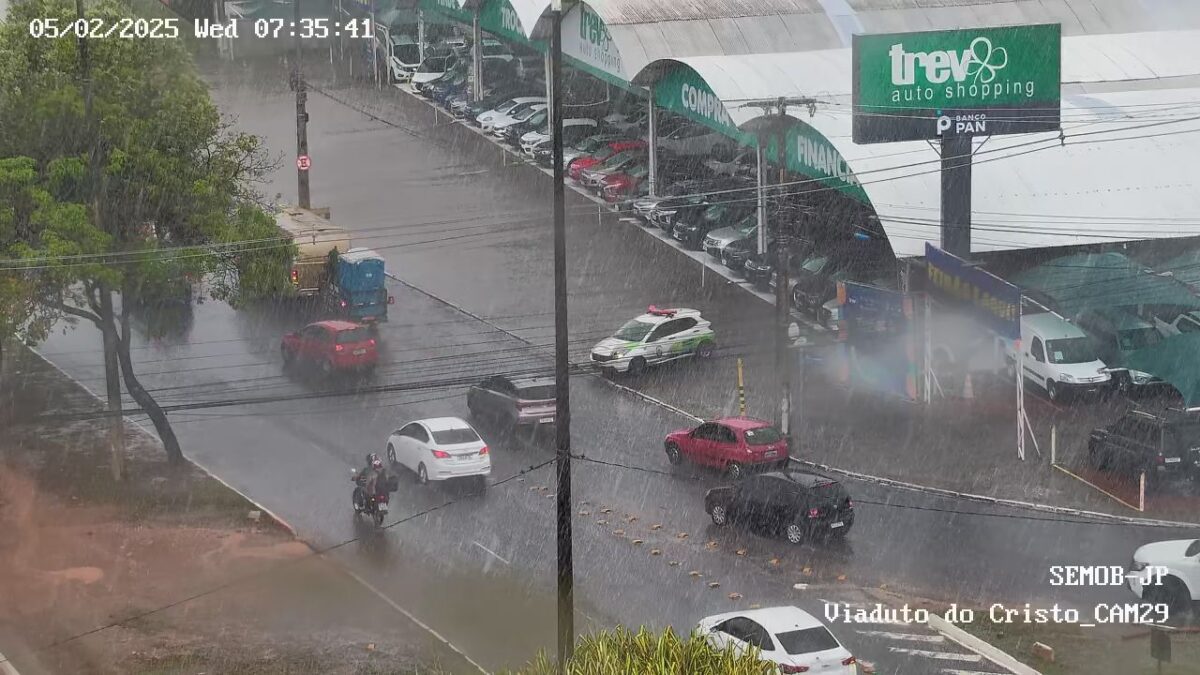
point(166, 572)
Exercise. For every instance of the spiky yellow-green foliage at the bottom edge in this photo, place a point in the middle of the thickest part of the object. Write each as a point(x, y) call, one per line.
point(621, 652)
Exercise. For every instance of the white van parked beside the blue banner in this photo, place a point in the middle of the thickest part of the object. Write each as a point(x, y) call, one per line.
point(1059, 357)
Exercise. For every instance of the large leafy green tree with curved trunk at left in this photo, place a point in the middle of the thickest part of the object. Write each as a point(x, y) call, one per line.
point(131, 180)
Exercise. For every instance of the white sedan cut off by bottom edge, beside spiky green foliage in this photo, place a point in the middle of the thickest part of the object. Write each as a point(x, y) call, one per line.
point(789, 637)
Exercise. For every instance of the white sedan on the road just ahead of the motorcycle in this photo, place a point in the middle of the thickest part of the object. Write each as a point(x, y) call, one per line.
point(440, 449)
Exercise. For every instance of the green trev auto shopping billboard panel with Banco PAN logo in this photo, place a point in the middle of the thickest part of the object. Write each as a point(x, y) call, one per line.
point(975, 82)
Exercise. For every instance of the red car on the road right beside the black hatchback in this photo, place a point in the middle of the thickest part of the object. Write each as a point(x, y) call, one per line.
point(733, 444)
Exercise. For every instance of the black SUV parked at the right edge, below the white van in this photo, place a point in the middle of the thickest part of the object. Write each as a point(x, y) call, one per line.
point(1162, 445)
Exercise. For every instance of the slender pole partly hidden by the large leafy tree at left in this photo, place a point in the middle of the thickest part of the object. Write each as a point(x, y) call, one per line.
point(112, 367)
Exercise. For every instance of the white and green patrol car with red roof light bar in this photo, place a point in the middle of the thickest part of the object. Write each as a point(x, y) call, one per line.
point(657, 337)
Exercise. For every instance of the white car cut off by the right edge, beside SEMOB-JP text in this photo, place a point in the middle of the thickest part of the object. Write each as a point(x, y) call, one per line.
point(1168, 572)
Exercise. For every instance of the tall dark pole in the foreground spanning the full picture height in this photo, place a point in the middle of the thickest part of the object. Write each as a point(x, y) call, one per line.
point(562, 378)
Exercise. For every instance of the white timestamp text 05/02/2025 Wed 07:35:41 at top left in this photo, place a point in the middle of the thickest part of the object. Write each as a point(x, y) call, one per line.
point(130, 28)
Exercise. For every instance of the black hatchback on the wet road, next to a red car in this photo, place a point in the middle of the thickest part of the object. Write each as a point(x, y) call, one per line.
point(794, 504)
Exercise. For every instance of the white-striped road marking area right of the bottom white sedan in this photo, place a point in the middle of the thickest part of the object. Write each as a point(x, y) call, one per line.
point(913, 648)
